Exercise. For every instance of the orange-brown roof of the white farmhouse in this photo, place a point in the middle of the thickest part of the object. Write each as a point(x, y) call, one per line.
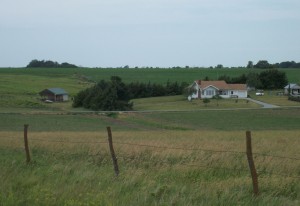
point(221, 85)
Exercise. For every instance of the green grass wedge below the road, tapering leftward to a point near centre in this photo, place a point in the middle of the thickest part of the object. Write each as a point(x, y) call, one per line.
point(224, 120)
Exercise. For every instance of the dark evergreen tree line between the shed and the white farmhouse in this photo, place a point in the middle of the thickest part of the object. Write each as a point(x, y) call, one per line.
point(114, 95)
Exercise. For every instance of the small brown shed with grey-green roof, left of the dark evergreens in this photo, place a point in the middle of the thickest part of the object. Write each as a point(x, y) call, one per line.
point(54, 95)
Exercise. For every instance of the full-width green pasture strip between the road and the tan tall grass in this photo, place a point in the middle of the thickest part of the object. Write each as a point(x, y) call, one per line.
point(213, 120)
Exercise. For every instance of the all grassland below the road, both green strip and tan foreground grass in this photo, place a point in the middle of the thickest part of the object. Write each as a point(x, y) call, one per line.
point(164, 159)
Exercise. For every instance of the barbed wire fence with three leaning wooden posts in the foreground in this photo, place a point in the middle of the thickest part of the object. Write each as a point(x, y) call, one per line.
point(251, 157)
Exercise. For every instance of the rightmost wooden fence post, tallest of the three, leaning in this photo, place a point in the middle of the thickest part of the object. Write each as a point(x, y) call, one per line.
point(251, 163)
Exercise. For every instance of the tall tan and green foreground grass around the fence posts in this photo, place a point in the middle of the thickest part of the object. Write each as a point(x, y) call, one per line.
point(82, 174)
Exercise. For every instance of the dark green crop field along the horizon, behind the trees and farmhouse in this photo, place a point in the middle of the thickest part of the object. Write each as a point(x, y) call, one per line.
point(143, 75)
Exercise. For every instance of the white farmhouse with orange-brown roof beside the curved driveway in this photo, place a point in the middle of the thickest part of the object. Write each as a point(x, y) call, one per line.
point(208, 89)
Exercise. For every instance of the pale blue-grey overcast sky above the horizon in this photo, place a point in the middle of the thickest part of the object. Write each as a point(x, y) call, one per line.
point(163, 33)
